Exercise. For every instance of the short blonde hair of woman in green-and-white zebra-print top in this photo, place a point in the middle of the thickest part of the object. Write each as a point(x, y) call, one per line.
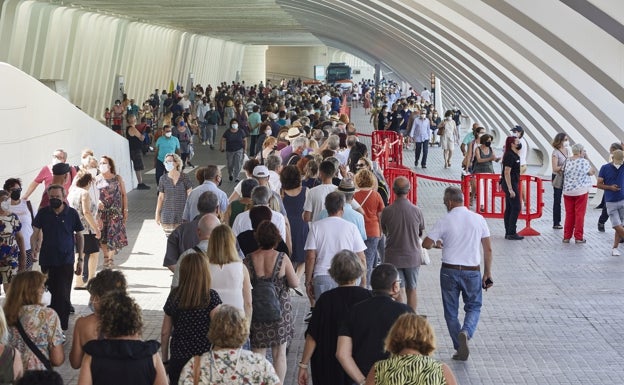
point(410, 331)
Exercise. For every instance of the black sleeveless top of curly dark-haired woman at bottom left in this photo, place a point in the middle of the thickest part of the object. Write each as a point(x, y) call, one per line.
point(122, 362)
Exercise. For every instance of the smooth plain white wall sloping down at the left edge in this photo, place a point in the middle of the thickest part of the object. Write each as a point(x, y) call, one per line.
point(37, 121)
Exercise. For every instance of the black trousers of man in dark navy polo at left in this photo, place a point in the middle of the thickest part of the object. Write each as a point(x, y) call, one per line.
point(59, 284)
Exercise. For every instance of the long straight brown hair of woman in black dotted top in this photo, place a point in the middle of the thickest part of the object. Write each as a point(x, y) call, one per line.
point(194, 289)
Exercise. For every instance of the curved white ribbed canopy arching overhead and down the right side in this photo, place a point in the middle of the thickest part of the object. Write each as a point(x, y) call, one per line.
point(550, 66)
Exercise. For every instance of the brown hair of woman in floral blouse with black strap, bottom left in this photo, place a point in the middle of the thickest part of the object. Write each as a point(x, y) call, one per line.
point(24, 290)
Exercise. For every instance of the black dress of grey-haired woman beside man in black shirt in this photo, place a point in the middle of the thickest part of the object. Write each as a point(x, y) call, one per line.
point(328, 313)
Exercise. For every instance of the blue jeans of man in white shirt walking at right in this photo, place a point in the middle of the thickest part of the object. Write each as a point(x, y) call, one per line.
point(468, 284)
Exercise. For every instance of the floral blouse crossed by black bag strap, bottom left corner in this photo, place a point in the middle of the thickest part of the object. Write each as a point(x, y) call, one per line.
point(43, 326)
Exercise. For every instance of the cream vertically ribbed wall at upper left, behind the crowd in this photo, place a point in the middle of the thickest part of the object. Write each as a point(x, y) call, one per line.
point(88, 50)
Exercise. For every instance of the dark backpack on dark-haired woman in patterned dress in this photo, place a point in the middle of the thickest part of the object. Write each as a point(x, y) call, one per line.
point(265, 295)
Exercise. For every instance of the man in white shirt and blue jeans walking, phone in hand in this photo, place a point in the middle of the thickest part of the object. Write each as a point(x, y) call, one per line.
point(460, 234)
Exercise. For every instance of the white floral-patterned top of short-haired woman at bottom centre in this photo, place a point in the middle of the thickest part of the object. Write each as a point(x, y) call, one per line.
point(231, 366)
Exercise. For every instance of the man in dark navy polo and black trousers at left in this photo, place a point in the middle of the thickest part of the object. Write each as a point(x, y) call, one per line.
point(57, 232)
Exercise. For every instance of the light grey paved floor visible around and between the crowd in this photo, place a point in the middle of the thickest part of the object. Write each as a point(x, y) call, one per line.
point(554, 316)
